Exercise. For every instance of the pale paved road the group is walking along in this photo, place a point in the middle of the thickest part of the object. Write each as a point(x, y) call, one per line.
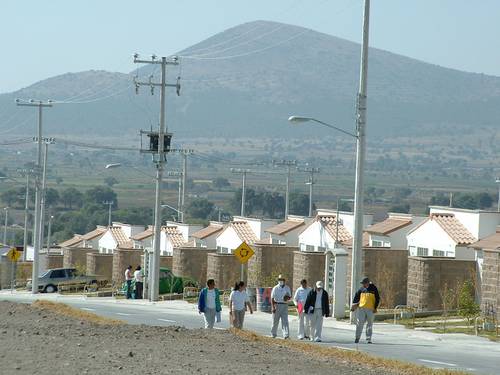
point(454, 352)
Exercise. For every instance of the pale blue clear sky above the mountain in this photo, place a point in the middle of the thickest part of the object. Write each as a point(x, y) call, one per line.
point(41, 39)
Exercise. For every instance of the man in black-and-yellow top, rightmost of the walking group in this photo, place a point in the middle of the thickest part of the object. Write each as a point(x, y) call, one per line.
point(366, 303)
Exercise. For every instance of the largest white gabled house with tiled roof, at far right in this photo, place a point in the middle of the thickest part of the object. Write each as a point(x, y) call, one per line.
point(449, 232)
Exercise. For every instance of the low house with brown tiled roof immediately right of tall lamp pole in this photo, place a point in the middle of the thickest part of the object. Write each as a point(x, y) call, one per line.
point(391, 232)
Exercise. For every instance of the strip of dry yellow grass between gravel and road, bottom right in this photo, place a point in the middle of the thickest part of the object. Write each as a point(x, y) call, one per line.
point(360, 358)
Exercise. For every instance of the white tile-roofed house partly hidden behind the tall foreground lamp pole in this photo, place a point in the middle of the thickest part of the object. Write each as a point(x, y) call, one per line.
point(320, 234)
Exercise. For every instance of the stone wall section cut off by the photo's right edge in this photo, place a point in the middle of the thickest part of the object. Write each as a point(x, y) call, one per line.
point(490, 286)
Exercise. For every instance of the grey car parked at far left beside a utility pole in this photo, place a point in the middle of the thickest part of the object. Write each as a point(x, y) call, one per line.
point(50, 280)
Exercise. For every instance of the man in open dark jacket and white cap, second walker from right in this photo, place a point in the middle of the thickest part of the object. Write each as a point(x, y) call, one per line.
point(317, 306)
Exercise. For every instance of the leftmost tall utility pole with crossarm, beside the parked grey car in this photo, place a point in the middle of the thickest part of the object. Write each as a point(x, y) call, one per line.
point(36, 237)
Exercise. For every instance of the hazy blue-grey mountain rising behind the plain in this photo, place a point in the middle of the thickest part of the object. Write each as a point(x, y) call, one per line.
point(294, 71)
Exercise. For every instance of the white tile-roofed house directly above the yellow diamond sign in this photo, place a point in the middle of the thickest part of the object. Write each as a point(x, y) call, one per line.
point(242, 229)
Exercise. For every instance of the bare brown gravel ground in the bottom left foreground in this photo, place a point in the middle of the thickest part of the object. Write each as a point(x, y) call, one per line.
point(35, 341)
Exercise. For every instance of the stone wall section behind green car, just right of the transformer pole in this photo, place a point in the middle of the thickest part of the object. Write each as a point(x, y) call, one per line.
point(191, 262)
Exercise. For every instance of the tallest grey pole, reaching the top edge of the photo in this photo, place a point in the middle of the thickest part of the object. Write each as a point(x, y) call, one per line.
point(357, 248)
